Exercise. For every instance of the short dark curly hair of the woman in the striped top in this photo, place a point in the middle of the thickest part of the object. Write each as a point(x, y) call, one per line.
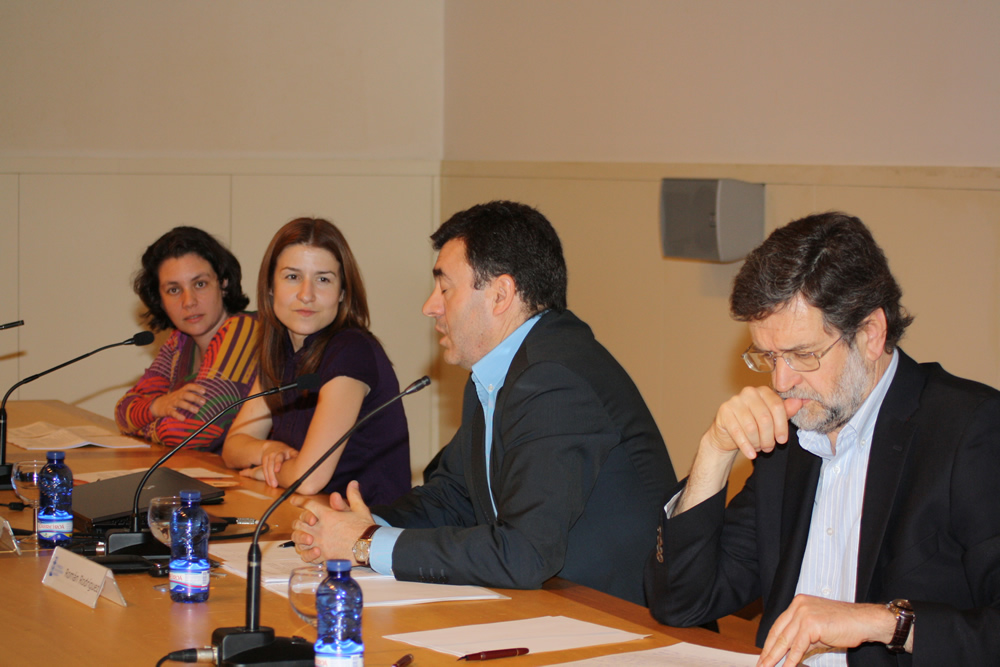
point(178, 242)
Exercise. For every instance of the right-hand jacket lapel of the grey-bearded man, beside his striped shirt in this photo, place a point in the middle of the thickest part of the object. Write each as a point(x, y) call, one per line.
point(890, 445)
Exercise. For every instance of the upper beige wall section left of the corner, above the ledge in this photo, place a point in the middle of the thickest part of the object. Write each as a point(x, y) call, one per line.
point(305, 78)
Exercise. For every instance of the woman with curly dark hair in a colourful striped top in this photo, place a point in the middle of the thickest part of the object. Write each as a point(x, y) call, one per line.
point(190, 283)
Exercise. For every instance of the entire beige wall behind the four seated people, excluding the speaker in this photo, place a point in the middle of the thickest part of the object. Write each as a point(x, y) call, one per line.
point(121, 120)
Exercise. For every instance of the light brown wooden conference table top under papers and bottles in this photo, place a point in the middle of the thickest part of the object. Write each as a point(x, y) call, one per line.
point(42, 626)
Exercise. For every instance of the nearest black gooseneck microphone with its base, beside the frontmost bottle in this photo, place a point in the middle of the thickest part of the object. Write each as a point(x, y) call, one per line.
point(256, 645)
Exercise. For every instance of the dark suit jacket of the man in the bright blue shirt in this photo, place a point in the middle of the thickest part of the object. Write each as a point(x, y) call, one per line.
point(578, 472)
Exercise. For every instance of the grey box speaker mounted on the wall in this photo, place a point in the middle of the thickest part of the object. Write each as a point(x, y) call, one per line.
point(719, 219)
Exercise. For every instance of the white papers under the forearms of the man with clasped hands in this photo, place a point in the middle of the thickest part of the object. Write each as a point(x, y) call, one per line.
point(379, 590)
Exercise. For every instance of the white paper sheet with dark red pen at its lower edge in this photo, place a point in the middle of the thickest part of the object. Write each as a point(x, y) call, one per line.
point(547, 633)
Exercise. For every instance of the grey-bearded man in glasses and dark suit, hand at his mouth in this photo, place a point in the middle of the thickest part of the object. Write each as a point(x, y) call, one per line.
point(870, 525)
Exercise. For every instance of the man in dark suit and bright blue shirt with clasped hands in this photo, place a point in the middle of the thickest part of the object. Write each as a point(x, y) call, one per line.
point(558, 467)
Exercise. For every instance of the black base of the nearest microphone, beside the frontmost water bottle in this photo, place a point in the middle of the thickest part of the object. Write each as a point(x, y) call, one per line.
point(240, 647)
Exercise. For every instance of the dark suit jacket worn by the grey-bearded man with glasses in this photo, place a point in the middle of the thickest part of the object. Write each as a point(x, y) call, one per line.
point(930, 527)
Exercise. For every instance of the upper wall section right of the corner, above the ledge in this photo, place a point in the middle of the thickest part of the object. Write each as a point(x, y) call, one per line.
point(852, 82)
